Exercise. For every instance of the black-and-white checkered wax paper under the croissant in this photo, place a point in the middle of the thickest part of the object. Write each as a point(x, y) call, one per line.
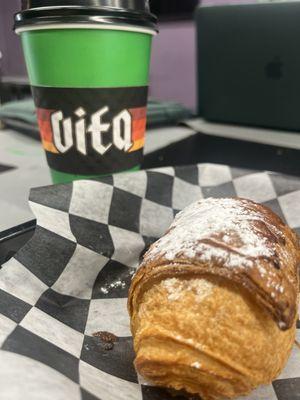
point(71, 280)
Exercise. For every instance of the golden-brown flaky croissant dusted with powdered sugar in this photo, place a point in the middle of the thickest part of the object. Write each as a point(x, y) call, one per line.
point(213, 305)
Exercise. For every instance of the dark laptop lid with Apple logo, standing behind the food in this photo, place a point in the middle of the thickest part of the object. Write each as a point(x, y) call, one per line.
point(249, 64)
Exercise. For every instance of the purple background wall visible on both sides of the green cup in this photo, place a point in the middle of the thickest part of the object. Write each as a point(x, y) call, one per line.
point(173, 75)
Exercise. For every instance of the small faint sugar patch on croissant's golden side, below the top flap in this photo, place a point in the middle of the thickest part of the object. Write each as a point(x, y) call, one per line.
point(177, 287)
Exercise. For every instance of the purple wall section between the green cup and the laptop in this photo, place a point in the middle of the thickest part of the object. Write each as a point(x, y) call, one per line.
point(173, 69)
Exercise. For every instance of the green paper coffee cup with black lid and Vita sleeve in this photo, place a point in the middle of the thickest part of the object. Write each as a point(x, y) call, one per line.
point(88, 65)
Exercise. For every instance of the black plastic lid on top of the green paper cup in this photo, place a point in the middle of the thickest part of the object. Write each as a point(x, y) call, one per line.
point(39, 13)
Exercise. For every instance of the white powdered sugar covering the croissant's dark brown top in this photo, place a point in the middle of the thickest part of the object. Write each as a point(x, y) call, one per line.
point(216, 230)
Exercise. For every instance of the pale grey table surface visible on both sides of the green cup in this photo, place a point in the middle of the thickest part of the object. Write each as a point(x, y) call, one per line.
point(23, 164)
